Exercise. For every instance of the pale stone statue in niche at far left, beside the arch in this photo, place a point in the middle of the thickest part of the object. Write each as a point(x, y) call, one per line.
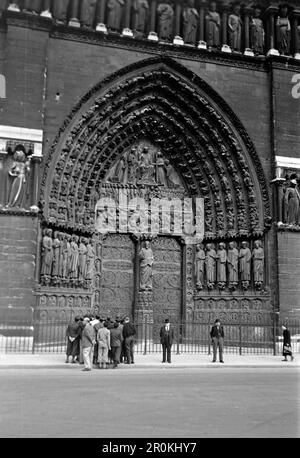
point(19, 173)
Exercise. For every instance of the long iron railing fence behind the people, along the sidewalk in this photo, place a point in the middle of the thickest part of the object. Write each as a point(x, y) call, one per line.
point(35, 336)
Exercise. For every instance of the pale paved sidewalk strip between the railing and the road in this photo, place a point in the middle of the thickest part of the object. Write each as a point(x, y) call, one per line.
point(57, 361)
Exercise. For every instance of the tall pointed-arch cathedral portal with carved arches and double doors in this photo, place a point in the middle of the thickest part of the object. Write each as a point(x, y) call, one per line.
point(196, 147)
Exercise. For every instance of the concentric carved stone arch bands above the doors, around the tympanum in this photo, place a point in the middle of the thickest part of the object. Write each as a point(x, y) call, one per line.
point(161, 101)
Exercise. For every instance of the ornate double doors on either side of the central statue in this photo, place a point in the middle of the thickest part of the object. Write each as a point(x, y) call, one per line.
point(119, 283)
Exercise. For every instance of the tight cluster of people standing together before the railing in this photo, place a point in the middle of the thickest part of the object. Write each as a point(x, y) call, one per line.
point(95, 341)
